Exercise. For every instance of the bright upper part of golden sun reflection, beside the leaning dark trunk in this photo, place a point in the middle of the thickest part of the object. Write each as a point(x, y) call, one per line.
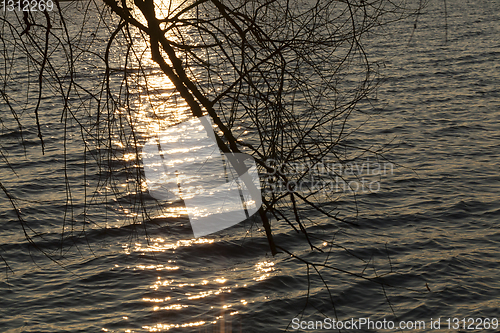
point(156, 104)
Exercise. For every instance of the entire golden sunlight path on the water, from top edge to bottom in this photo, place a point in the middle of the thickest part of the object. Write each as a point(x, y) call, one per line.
point(159, 106)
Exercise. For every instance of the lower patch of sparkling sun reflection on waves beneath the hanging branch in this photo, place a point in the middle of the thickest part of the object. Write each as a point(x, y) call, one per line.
point(179, 290)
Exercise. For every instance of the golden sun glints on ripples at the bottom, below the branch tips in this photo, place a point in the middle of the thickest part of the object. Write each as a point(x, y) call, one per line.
point(171, 293)
